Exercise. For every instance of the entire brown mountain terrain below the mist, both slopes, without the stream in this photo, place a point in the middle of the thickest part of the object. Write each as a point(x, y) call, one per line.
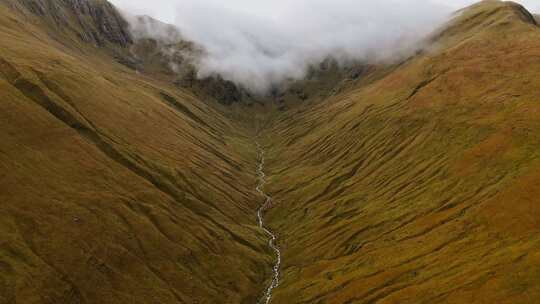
point(124, 181)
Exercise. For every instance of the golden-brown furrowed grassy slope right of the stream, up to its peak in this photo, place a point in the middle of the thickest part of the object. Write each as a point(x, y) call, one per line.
point(423, 186)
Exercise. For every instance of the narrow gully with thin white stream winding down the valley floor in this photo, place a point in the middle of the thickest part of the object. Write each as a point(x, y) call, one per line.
point(272, 237)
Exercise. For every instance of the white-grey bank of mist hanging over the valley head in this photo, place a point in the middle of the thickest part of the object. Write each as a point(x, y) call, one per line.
point(260, 44)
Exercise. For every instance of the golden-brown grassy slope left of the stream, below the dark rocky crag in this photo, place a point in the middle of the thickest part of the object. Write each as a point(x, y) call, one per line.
point(115, 188)
